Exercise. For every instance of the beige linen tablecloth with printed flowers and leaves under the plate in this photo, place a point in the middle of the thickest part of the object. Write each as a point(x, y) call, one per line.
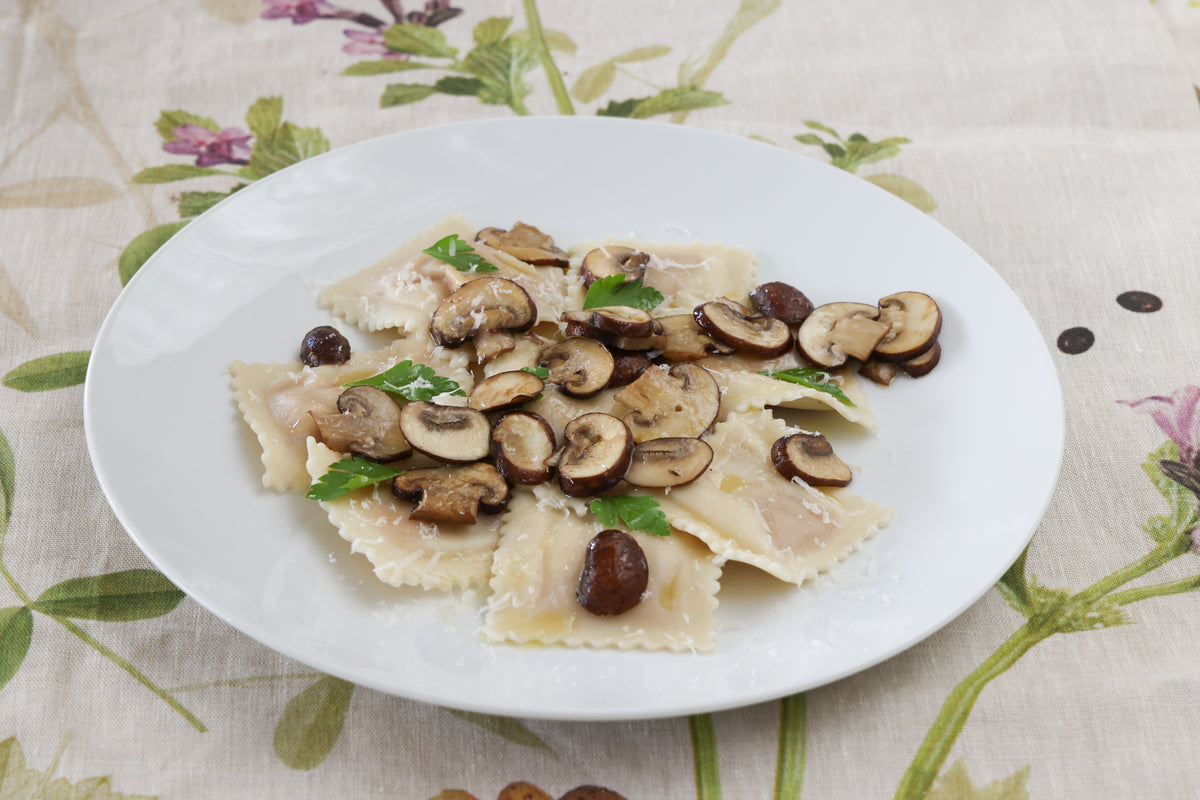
point(1060, 141)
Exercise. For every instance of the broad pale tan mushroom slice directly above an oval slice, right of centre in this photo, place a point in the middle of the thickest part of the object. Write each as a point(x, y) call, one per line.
point(682, 401)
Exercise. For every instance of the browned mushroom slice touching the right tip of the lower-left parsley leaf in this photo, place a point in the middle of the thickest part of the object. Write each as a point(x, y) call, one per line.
point(453, 495)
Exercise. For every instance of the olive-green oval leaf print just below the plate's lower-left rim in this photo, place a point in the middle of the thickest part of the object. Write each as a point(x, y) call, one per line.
point(313, 723)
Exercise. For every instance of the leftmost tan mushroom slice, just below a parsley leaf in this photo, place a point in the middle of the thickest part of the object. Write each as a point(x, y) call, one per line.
point(369, 426)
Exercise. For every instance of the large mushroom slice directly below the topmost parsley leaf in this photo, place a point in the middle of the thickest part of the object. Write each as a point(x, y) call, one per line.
point(484, 305)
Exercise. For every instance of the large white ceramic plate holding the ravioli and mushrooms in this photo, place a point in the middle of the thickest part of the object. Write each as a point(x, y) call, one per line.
point(967, 456)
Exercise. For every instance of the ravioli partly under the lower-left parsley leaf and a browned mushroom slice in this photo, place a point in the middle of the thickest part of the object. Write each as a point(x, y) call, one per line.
point(404, 551)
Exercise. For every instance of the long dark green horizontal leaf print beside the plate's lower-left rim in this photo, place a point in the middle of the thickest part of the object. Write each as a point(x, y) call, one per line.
point(113, 598)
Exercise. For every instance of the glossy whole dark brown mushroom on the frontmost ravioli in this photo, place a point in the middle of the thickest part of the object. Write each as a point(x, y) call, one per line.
point(615, 574)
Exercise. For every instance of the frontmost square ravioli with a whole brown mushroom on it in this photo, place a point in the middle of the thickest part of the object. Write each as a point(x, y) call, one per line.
point(536, 574)
